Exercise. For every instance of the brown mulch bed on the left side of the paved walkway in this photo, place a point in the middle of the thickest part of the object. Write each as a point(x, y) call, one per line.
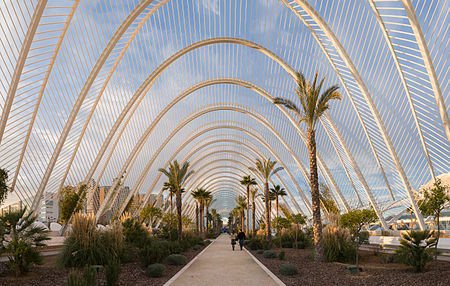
point(132, 273)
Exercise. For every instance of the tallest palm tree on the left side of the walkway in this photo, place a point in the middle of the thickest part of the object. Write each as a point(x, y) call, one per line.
point(177, 175)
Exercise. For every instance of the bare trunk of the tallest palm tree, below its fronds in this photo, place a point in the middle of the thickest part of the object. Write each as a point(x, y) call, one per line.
point(317, 221)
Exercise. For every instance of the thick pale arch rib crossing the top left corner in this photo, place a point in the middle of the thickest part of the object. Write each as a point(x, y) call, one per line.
point(26, 45)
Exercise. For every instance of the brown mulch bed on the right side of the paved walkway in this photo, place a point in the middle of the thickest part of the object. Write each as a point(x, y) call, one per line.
point(374, 272)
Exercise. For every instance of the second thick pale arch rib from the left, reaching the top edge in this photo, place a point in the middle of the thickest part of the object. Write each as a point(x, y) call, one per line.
point(88, 84)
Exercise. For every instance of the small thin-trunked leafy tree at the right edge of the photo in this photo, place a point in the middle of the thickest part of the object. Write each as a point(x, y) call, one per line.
point(433, 203)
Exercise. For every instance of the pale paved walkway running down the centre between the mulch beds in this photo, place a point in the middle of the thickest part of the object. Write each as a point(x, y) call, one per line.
point(219, 265)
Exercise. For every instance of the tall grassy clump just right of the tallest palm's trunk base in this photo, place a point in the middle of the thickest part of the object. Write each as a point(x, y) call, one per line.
point(338, 245)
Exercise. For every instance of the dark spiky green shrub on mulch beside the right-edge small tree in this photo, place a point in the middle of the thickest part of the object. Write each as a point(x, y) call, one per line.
point(416, 249)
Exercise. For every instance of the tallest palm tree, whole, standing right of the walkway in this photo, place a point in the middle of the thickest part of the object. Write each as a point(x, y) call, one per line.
point(314, 103)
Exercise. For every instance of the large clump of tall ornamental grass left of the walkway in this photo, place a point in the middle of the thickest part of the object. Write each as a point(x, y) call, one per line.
point(87, 245)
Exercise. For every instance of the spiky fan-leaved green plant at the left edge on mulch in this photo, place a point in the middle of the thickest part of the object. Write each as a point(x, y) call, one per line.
point(20, 239)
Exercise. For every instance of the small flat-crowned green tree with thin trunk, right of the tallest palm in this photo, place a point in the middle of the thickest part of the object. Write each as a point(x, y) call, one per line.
point(354, 221)
